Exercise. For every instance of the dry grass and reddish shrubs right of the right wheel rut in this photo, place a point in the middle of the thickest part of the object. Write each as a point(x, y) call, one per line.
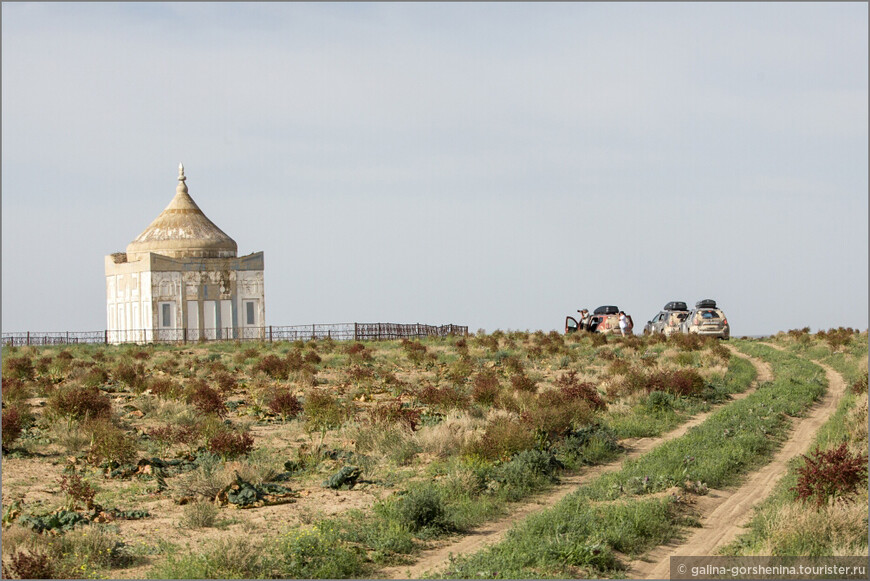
point(820, 505)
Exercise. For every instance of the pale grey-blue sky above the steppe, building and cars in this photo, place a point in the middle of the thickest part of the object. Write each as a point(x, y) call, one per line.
point(490, 165)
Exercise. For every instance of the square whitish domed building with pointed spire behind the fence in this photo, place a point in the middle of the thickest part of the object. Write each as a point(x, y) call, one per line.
point(181, 280)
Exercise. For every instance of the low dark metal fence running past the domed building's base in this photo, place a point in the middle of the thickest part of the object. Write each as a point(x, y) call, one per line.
point(335, 331)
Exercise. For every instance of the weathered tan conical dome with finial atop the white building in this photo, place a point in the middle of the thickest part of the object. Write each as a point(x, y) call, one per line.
point(182, 231)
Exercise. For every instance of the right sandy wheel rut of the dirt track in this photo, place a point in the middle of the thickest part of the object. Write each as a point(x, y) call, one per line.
point(726, 512)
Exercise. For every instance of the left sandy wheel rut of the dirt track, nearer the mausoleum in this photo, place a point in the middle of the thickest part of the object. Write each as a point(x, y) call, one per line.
point(492, 532)
